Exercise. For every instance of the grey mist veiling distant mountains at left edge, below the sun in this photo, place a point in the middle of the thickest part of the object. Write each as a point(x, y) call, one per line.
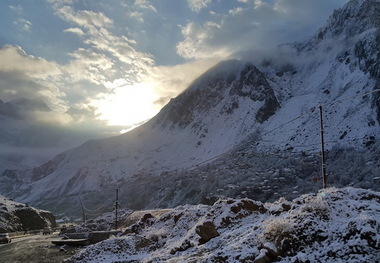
point(28, 137)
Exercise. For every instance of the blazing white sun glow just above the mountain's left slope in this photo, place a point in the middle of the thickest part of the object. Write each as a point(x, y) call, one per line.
point(128, 105)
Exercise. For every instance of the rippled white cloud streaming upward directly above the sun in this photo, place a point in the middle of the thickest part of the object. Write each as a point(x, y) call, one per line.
point(104, 54)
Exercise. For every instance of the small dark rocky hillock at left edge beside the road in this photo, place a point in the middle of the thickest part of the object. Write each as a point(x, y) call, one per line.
point(15, 216)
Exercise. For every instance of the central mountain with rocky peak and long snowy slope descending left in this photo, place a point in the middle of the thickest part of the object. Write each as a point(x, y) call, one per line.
point(214, 110)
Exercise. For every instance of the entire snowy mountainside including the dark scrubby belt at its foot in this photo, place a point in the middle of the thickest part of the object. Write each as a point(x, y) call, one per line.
point(241, 129)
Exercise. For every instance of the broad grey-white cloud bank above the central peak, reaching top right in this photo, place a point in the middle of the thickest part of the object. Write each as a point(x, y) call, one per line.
point(257, 24)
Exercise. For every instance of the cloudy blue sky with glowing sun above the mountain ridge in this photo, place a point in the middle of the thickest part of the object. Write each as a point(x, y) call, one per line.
point(104, 67)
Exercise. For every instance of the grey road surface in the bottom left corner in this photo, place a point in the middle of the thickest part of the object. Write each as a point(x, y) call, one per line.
point(33, 249)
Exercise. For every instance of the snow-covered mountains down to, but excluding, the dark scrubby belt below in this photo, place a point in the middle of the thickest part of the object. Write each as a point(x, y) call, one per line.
point(269, 106)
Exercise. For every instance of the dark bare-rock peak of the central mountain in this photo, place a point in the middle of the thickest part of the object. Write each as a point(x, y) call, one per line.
point(222, 89)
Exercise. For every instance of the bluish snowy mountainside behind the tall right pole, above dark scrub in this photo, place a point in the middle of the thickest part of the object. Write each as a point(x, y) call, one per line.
point(337, 68)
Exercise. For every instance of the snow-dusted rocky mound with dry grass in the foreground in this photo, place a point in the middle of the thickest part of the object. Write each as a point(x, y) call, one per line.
point(335, 225)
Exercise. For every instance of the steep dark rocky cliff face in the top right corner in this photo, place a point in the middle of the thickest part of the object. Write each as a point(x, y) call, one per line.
point(358, 24)
